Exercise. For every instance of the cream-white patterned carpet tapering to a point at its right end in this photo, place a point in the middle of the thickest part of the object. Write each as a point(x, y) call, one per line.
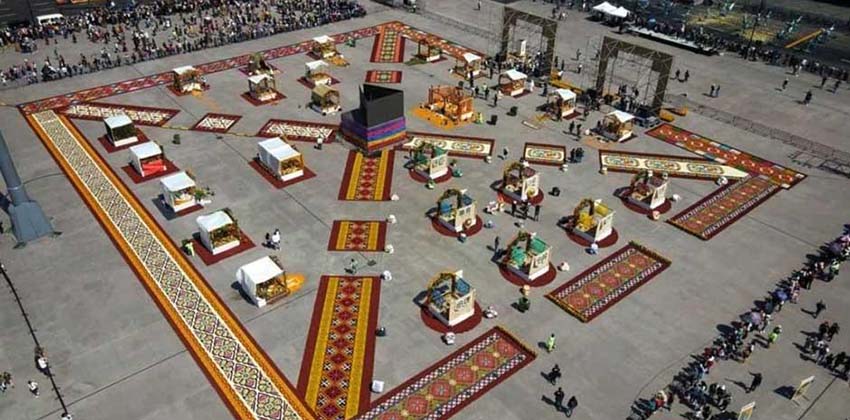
point(674, 166)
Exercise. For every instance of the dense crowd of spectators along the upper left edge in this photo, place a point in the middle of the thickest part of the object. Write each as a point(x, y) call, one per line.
point(159, 29)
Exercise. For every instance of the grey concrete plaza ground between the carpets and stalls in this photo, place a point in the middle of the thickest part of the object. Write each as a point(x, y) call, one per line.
point(115, 356)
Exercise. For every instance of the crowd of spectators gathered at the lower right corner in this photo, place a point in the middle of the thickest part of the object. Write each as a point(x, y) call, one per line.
point(752, 330)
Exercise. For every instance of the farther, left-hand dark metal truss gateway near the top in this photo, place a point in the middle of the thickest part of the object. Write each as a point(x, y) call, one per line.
point(511, 35)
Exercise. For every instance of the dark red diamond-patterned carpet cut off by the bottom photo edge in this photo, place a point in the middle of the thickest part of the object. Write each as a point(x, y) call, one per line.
point(447, 386)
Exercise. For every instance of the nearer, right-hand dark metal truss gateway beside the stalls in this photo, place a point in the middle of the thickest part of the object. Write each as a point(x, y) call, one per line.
point(646, 67)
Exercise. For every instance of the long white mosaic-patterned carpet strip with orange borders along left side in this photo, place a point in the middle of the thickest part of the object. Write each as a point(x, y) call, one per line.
point(245, 377)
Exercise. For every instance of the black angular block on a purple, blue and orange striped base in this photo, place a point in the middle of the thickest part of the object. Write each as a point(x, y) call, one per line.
point(378, 122)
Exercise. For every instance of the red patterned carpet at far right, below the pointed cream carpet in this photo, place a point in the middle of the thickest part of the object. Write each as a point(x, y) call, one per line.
point(725, 206)
